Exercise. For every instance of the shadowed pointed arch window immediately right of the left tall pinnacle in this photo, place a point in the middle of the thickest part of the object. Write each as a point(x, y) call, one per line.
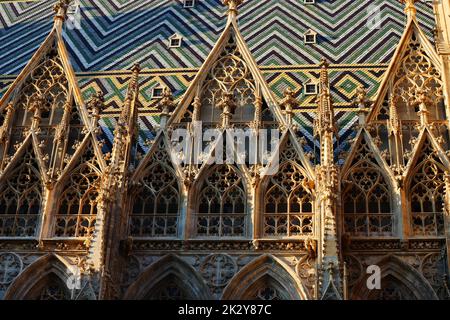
point(156, 204)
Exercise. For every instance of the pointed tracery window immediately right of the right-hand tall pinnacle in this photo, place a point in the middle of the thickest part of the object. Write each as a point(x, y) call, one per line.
point(368, 203)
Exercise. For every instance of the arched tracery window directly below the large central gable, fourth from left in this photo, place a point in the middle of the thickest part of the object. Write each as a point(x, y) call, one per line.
point(222, 204)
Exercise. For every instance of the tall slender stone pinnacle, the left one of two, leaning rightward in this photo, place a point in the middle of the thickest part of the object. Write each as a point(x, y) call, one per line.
point(113, 184)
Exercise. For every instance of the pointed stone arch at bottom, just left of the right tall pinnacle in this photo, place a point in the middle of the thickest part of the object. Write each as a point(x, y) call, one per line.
point(265, 278)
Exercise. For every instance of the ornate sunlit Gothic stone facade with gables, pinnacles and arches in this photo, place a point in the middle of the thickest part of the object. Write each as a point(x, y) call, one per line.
point(79, 220)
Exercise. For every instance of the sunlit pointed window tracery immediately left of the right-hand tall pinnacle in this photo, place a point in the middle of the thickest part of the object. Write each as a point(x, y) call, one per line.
point(288, 204)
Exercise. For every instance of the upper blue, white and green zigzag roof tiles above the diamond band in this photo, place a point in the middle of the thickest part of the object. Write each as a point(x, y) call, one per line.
point(115, 34)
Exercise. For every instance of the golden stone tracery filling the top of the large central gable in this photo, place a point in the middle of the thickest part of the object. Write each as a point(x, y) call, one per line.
point(229, 74)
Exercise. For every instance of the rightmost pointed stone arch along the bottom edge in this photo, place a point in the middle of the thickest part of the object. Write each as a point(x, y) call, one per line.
point(399, 281)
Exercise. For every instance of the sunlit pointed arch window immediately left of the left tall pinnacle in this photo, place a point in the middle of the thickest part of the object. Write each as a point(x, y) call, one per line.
point(77, 207)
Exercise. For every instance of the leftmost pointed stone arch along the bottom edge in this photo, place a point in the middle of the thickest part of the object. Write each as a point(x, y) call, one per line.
point(48, 270)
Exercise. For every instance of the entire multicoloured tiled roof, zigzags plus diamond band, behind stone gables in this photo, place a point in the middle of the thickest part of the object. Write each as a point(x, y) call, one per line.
point(115, 34)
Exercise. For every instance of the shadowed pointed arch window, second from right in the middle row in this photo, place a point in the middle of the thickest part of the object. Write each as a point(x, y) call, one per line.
point(367, 198)
